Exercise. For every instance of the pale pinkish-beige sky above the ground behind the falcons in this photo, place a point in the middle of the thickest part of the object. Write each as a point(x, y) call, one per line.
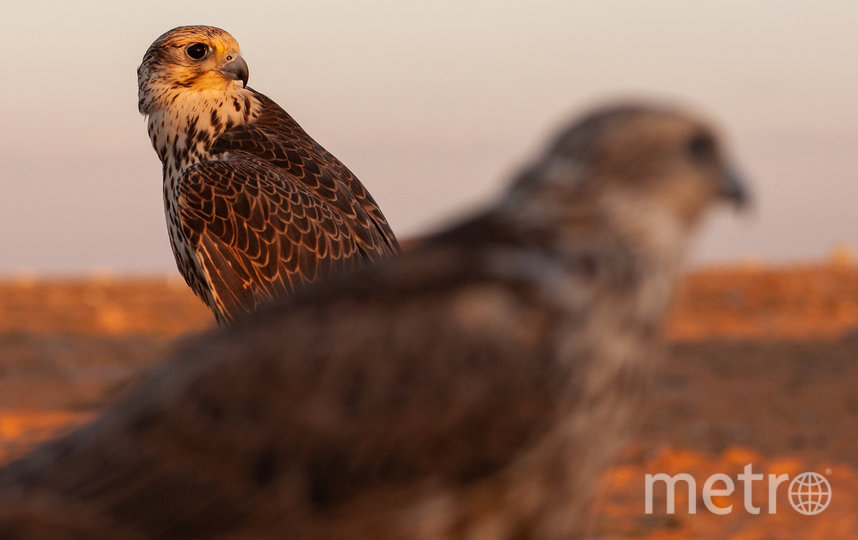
point(432, 105)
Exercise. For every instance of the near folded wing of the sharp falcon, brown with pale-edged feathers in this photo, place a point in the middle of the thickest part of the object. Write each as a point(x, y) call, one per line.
point(259, 234)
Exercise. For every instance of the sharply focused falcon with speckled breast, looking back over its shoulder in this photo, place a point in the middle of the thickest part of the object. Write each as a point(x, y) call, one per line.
point(255, 207)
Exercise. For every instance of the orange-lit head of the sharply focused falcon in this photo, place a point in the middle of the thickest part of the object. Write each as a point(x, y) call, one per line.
point(189, 59)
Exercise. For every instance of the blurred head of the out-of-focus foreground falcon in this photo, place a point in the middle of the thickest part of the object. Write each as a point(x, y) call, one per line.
point(644, 165)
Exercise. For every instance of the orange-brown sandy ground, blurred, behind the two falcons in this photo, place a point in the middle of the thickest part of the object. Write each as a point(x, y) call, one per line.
point(761, 369)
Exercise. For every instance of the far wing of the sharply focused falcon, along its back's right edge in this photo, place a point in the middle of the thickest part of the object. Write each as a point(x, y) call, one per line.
point(275, 137)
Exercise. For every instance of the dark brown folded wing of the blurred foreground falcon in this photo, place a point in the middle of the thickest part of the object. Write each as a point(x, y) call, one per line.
point(335, 372)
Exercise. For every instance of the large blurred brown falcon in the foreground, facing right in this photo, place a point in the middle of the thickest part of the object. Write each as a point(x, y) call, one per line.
point(474, 387)
